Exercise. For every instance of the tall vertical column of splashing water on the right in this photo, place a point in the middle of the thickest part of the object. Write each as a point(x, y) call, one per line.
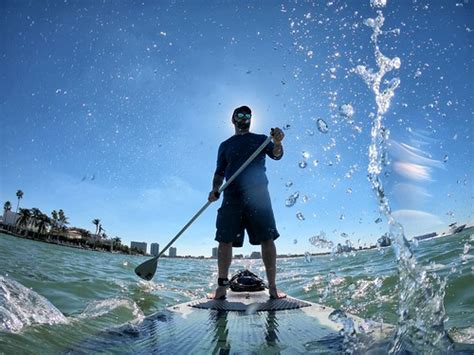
point(421, 310)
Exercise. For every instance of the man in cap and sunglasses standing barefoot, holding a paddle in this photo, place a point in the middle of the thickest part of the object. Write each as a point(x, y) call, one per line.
point(246, 205)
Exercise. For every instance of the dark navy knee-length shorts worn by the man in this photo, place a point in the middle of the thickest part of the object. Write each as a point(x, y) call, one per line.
point(251, 211)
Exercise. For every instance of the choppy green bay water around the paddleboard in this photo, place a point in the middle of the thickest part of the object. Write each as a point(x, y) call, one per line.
point(53, 297)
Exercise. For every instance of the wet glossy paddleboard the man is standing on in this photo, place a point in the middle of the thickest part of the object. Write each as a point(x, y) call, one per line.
point(245, 322)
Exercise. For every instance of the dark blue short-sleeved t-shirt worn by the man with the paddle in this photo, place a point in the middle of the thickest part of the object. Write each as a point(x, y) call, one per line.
point(234, 152)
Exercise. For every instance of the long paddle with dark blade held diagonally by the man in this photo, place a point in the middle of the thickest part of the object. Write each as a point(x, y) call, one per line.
point(147, 269)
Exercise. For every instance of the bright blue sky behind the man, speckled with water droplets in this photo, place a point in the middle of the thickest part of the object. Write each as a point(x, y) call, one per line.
point(115, 110)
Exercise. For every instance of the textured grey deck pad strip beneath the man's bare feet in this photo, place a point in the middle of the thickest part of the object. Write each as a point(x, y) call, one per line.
point(250, 302)
